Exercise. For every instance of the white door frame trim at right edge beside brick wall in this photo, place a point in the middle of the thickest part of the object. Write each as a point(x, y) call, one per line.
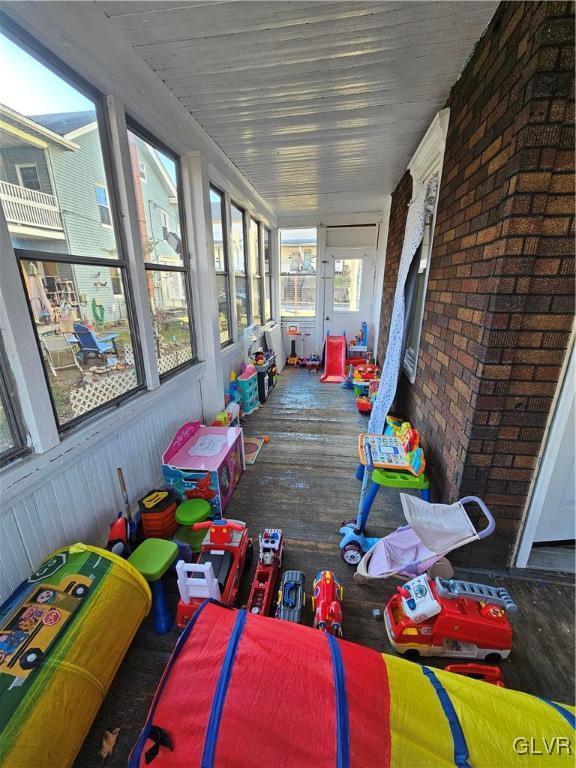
point(551, 447)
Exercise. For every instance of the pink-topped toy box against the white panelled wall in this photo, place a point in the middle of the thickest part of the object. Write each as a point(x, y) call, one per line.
point(204, 462)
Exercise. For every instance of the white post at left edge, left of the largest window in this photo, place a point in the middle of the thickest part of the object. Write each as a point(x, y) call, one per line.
point(22, 350)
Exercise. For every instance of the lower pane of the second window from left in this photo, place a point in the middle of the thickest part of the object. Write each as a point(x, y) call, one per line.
point(170, 318)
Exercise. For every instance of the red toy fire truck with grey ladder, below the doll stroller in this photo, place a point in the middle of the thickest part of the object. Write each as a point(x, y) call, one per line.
point(450, 618)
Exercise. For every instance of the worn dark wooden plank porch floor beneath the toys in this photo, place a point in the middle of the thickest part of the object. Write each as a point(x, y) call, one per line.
point(303, 482)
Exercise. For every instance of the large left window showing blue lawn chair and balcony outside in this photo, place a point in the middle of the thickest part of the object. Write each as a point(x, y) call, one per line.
point(60, 210)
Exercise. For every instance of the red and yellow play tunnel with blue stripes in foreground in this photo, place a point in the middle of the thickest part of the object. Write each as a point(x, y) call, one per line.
point(244, 689)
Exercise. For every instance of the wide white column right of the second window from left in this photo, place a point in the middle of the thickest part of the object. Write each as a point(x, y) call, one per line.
point(196, 184)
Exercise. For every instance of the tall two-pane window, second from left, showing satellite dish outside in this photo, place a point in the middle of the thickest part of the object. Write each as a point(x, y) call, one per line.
point(165, 258)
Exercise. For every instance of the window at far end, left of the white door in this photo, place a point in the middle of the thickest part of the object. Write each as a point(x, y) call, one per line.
point(298, 272)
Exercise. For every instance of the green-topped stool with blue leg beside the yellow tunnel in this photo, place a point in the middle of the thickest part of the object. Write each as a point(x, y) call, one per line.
point(153, 558)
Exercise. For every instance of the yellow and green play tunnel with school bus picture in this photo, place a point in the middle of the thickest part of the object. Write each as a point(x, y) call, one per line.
point(63, 634)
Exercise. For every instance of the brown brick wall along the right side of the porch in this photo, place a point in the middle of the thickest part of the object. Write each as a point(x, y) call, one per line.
point(500, 299)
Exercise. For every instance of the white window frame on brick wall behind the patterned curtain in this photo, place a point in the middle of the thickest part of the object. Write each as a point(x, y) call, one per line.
point(426, 162)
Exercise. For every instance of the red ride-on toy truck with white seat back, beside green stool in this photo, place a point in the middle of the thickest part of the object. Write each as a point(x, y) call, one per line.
point(225, 553)
